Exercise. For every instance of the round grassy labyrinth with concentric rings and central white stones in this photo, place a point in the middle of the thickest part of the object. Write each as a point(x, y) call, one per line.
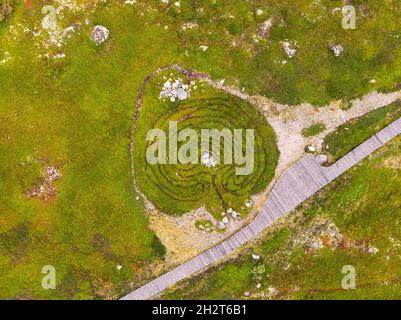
point(179, 188)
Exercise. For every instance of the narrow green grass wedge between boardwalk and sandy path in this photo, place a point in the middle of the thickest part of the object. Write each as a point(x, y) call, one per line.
point(353, 133)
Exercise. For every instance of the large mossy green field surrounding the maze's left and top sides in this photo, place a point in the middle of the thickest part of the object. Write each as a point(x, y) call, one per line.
point(74, 113)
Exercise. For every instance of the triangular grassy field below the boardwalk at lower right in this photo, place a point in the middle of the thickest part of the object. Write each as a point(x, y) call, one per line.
point(354, 221)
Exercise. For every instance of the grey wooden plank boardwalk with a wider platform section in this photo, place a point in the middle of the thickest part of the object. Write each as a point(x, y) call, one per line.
point(298, 183)
